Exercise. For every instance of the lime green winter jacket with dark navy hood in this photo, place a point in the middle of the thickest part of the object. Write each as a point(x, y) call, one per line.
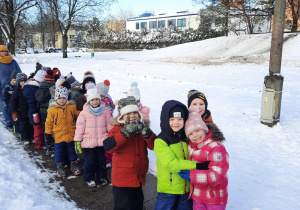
point(171, 151)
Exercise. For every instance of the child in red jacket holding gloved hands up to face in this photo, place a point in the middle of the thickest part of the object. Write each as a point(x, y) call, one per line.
point(128, 140)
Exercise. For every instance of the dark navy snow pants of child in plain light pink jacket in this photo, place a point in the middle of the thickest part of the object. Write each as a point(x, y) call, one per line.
point(94, 163)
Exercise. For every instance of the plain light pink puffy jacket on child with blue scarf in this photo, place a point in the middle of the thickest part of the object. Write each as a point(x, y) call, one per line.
point(92, 130)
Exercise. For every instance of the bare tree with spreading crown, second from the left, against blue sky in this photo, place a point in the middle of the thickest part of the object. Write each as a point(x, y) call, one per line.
point(68, 11)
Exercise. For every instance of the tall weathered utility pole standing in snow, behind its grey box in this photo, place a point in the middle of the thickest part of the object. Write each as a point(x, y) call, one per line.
point(274, 80)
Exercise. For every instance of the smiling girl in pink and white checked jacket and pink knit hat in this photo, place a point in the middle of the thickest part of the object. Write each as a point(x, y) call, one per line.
point(209, 185)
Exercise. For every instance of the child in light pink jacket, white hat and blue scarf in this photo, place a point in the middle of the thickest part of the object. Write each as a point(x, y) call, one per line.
point(92, 126)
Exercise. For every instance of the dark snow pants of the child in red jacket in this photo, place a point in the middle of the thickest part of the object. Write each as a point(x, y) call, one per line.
point(128, 198)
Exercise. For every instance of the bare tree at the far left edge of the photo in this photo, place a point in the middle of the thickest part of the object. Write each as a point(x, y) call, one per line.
point(10, 16)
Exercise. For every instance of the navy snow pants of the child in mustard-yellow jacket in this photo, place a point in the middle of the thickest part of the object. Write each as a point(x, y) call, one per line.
point(63, 148)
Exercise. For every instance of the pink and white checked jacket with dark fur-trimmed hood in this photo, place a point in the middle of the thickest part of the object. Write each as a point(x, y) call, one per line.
point(210, 186)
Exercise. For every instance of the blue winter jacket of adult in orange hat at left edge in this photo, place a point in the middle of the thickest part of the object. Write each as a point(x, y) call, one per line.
point(5, 74)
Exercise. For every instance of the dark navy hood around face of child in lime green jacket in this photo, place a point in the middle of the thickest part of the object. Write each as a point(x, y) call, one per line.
point(164, 118)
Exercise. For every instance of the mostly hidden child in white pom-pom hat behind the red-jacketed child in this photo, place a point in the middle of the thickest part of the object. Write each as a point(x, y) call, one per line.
point(145, 110)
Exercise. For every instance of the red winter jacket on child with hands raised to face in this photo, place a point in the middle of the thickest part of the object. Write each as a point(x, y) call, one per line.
point(130, 159)
